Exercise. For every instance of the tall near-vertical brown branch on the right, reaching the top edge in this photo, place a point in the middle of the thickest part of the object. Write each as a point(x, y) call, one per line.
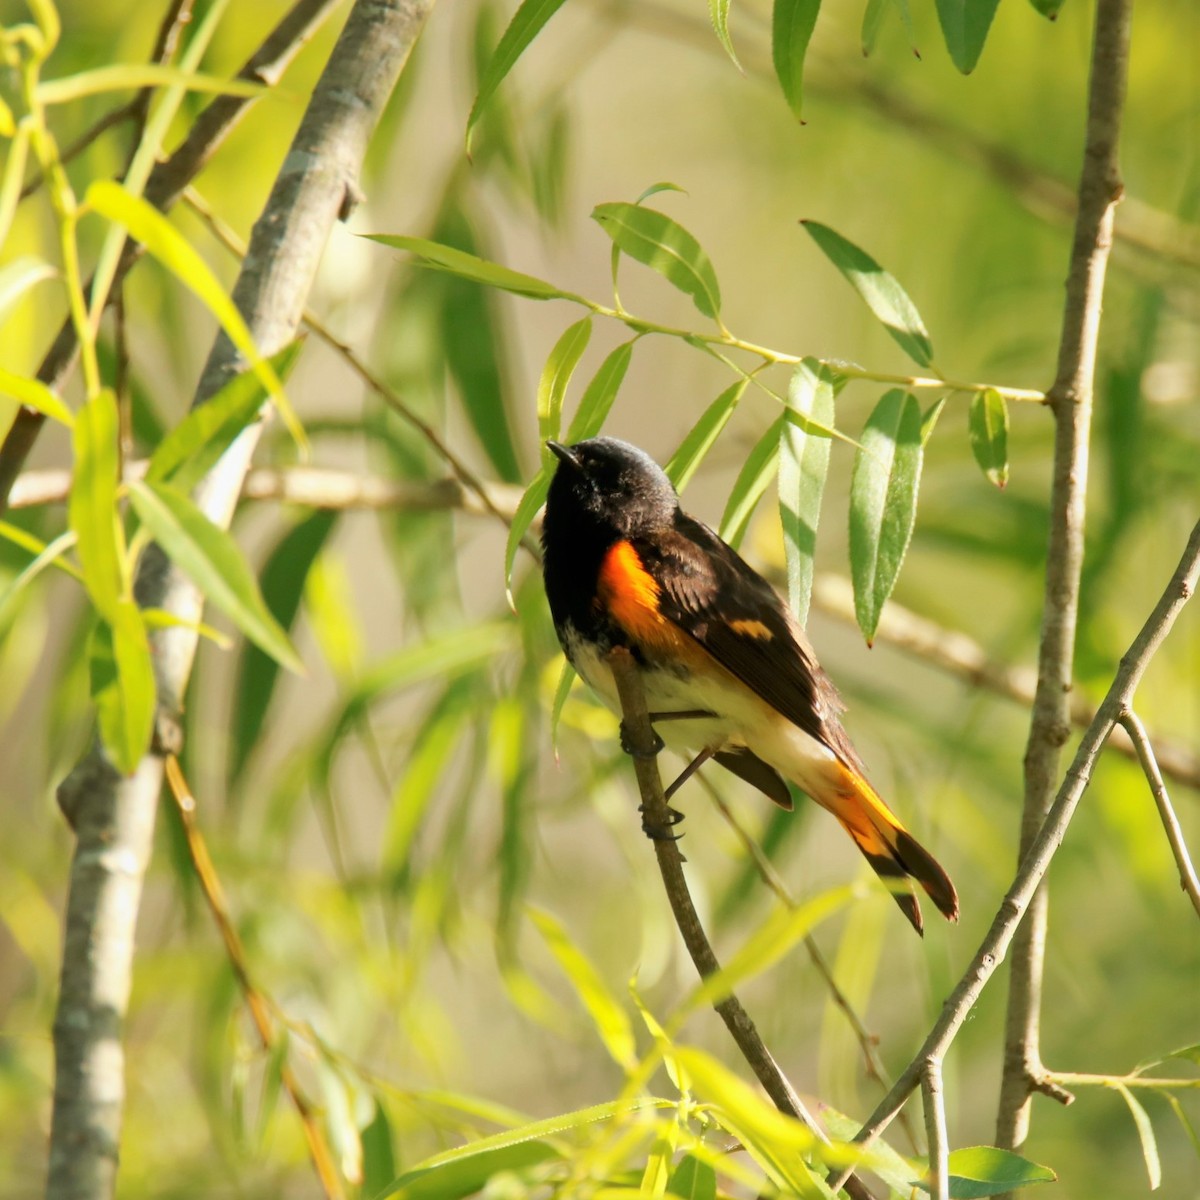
point(1071, 401)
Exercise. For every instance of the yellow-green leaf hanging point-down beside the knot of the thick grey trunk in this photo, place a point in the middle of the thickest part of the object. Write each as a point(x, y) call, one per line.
point(123, 686)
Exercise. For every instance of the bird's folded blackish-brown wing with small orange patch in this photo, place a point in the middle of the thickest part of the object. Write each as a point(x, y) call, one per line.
point(713, 596)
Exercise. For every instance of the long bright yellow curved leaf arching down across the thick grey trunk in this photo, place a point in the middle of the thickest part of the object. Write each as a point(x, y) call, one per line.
point(148, 226)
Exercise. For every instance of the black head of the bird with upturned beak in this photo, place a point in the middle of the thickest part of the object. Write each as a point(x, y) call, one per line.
point(609, 489)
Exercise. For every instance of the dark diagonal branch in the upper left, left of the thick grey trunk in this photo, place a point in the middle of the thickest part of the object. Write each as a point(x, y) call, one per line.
point(164, 188)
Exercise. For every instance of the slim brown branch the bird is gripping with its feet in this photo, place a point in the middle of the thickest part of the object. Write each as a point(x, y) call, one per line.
point(644, 749)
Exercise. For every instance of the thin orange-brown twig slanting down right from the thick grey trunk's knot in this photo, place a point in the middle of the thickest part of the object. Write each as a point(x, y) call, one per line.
point(256, 1003)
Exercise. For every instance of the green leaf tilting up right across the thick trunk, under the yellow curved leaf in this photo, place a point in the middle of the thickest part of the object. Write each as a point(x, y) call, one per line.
point(185, 455)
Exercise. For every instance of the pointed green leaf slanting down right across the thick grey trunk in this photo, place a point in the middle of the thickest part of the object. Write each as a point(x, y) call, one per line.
point(215, 565)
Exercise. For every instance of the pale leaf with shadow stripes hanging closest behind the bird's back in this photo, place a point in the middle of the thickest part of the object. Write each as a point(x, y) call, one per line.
point(803, 466)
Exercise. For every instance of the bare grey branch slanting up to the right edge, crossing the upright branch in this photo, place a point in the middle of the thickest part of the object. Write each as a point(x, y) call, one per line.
point(1035, 865)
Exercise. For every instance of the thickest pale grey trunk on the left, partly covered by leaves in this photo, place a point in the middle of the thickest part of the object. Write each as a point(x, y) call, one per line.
point(115, 817)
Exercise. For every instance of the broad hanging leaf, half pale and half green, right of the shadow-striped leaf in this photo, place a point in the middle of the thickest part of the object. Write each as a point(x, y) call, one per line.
point(884, 503)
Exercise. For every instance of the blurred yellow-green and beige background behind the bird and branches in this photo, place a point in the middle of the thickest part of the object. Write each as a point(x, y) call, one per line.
point(382, 826)
